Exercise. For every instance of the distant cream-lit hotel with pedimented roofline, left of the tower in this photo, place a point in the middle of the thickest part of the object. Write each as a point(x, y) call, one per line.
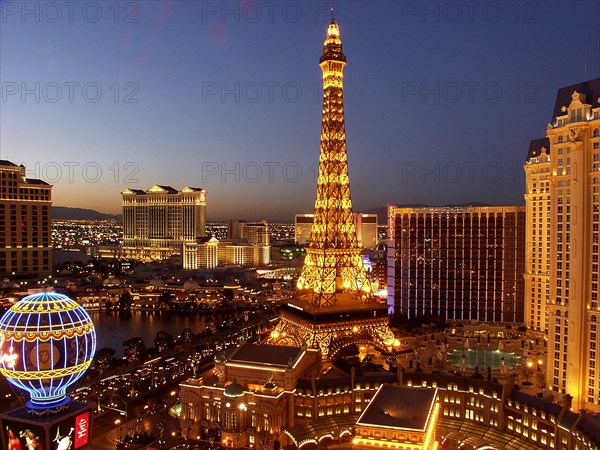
point(159, 221)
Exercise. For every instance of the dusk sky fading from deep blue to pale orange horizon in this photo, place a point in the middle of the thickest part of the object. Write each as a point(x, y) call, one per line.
point(441, 98)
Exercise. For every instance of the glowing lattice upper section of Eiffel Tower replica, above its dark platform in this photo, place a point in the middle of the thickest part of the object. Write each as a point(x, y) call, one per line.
point(333, 266)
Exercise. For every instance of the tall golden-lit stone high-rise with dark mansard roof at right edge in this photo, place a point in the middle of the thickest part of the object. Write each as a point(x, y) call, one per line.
point(563, 205)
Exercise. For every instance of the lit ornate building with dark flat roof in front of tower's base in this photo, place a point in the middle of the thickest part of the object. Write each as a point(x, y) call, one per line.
point(248, 399)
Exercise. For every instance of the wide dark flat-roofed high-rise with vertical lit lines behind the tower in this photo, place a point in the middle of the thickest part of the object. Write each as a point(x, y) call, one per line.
point(457, 263)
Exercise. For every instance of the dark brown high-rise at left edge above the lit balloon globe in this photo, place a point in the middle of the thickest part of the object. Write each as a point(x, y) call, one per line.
point(25, 222)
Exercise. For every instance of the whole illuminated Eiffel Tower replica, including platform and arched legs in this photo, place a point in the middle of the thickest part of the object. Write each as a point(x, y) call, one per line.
point(333, 306)
